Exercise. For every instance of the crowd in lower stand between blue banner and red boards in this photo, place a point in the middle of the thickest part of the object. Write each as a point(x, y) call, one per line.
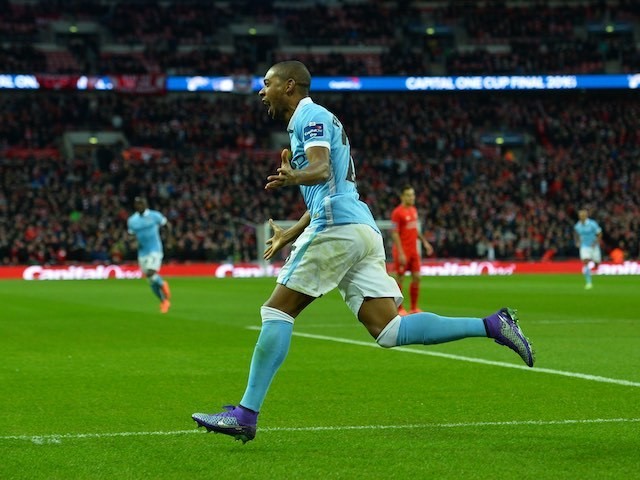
point(212, 153)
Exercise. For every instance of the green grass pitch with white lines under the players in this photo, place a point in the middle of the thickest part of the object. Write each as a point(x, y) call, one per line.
point(97, 384)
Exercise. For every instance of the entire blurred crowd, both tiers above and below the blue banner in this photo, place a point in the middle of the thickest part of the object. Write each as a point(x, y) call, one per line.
point(202, 158)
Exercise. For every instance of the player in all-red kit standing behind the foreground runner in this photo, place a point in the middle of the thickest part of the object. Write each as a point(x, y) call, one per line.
point(406, 257)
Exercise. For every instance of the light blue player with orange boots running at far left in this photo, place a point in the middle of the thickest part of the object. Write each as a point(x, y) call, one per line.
point(145, 225)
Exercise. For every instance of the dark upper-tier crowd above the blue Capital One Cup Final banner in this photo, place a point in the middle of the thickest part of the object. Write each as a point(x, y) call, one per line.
point(182, 37)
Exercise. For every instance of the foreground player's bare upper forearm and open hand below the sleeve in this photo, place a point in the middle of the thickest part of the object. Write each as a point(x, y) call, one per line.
point(317, 171)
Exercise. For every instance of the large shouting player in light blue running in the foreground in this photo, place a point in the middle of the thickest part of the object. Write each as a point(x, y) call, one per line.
point(336, 244)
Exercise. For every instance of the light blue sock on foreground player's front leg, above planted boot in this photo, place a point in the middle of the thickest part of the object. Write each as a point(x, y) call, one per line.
point(271, 350)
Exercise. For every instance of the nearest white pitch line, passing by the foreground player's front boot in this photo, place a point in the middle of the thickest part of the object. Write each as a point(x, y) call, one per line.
point(55, 439)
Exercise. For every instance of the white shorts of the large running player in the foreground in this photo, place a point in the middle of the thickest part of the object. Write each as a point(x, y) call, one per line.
point(350, 257)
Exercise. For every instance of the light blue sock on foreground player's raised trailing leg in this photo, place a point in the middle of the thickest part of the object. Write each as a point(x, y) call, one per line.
point(428, 328)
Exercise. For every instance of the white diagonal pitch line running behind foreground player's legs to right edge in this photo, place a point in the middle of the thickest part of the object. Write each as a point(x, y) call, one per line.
point(582, 376)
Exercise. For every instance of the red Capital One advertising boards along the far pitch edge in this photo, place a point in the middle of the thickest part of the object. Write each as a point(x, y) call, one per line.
point(222, 270)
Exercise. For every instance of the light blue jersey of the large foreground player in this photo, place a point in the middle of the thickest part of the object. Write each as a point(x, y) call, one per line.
point(336, 201)
